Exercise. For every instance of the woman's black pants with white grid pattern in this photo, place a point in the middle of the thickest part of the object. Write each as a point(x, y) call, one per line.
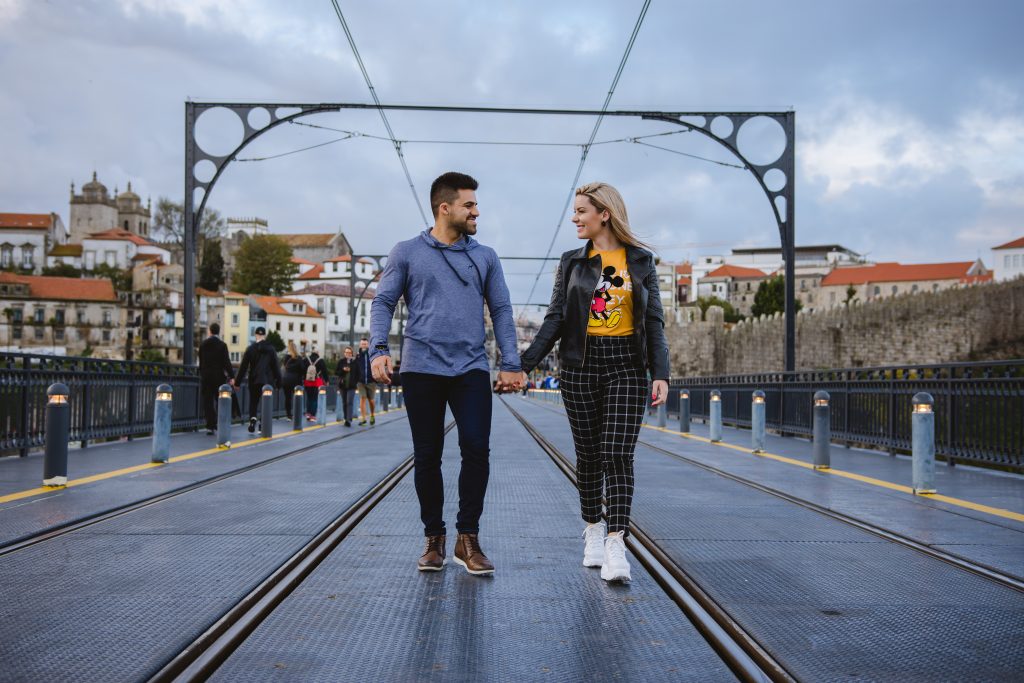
point(606, 401)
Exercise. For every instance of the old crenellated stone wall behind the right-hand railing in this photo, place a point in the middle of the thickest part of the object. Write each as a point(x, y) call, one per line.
point(980, 323)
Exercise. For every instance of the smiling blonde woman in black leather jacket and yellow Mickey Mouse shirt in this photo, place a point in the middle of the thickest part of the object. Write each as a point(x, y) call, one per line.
point(607, 310)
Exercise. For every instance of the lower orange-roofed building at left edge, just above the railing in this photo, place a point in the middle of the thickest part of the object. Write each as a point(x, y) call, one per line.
point(60, 316)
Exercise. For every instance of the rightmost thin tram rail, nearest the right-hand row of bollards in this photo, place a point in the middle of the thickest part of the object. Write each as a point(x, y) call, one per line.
point(972, 567)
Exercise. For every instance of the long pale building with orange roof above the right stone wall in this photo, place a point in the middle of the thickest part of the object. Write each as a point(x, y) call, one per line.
point(868, 283)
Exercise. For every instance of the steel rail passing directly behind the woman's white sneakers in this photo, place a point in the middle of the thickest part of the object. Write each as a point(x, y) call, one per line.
point(748, 660)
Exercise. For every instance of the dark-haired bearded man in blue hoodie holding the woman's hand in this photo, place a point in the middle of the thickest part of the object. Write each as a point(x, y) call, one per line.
point(446, 277)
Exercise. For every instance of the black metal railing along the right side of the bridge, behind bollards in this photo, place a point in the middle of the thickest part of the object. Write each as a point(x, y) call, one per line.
point(979, 407)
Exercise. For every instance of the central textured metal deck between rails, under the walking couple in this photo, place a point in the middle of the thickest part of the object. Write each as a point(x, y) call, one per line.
point(367, 614)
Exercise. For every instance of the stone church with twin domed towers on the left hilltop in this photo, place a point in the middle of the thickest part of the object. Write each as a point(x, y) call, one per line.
point(98, 211)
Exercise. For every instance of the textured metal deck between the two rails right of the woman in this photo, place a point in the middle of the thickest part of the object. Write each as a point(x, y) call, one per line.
point(828, 601)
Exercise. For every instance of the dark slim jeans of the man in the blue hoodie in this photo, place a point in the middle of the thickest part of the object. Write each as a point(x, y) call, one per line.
point(470, 397)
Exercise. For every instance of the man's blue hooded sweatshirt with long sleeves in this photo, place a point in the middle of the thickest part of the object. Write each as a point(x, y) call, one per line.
point(445, 287)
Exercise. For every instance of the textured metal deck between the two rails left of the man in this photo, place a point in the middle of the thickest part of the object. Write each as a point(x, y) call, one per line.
point(116, 601)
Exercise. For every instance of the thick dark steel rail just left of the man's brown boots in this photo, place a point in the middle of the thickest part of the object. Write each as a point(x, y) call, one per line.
point(205, 655)
